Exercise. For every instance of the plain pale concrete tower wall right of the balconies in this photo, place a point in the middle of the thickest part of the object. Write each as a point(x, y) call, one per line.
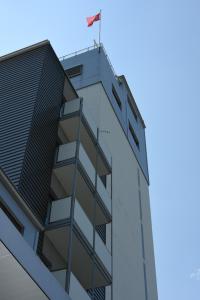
point(130, 267)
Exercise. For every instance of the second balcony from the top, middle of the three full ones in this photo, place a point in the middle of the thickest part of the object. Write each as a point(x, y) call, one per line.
point(63, 180)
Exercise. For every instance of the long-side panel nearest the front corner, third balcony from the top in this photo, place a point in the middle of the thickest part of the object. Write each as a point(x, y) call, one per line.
point(83, 222)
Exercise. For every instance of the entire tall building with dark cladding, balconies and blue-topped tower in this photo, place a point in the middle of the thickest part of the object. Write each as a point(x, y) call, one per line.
point(75, 213)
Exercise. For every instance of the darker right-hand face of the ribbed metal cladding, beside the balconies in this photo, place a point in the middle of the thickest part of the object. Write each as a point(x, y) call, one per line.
point(38, 162)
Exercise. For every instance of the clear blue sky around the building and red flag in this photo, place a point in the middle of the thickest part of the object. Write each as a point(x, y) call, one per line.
point(156, 44)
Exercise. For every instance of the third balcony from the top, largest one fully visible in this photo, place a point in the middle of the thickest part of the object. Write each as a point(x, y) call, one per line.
point(56, 241)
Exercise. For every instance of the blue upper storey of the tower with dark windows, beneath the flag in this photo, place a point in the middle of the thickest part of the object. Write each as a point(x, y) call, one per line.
point(91, 66)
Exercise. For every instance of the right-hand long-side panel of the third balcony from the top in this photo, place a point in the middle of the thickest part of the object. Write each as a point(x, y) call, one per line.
point(103, 252)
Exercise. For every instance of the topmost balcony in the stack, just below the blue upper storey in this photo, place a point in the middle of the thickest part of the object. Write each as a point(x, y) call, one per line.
point(68, 132)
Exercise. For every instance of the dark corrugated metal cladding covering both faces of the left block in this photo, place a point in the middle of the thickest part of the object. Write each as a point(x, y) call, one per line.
point(31, 88)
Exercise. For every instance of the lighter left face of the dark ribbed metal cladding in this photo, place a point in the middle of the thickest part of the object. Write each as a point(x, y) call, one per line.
point(19, 79)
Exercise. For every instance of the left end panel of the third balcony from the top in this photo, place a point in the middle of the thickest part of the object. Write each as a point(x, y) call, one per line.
point(60, 209)
